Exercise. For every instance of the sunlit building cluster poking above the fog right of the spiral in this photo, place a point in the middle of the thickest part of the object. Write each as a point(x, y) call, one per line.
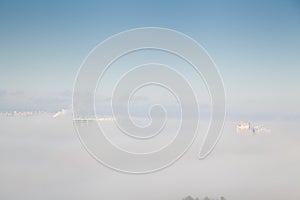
point(245, 128)
